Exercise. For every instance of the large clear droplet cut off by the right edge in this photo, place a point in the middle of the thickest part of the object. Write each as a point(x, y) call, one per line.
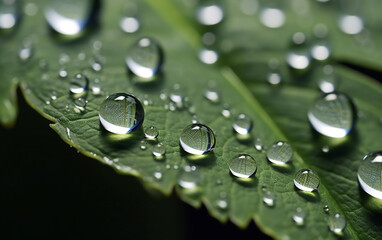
point(369, 174)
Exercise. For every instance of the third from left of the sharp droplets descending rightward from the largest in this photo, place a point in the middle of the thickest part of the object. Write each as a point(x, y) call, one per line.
point(243, 166)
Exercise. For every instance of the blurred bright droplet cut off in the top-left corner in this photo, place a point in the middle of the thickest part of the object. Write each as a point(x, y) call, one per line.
point(9, 14)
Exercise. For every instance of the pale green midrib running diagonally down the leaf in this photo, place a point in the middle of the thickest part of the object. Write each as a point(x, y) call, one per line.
point(171, 15)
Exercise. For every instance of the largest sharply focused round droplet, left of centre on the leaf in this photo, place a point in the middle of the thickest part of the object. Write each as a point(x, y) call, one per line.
point(121, 113)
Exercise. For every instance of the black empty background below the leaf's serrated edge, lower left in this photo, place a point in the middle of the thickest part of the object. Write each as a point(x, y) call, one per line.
point(48, 190)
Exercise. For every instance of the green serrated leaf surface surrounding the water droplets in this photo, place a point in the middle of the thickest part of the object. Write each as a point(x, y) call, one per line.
point(277, 113)
